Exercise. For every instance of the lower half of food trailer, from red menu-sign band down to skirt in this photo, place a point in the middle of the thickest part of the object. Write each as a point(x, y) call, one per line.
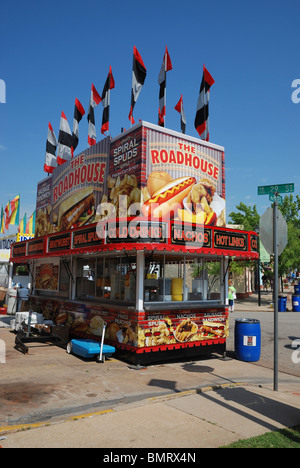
point(161, 287)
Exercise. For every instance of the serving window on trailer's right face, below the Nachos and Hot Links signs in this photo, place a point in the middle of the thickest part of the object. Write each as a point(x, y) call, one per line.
point(170, 278)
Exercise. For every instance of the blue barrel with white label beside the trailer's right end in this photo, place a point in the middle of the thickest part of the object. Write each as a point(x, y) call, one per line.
point(247, 339)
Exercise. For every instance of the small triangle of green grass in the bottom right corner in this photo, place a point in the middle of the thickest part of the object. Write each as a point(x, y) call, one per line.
point(283, 438)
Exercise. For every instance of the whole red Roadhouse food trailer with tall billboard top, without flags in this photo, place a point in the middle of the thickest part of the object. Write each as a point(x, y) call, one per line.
point(132, 232)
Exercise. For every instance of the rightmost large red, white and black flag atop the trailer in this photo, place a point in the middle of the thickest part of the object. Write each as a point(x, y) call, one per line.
point(201, 119)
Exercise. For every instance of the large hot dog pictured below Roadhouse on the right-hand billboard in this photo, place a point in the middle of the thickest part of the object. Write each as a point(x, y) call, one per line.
point(166, 201)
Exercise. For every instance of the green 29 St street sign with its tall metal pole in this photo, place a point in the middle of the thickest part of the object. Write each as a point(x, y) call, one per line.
point(273, 191)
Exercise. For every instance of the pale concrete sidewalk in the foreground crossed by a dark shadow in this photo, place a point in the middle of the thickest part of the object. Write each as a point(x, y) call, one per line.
point(192, 419)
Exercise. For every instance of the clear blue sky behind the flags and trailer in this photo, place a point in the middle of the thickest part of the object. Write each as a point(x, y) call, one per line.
point(50, 55)
